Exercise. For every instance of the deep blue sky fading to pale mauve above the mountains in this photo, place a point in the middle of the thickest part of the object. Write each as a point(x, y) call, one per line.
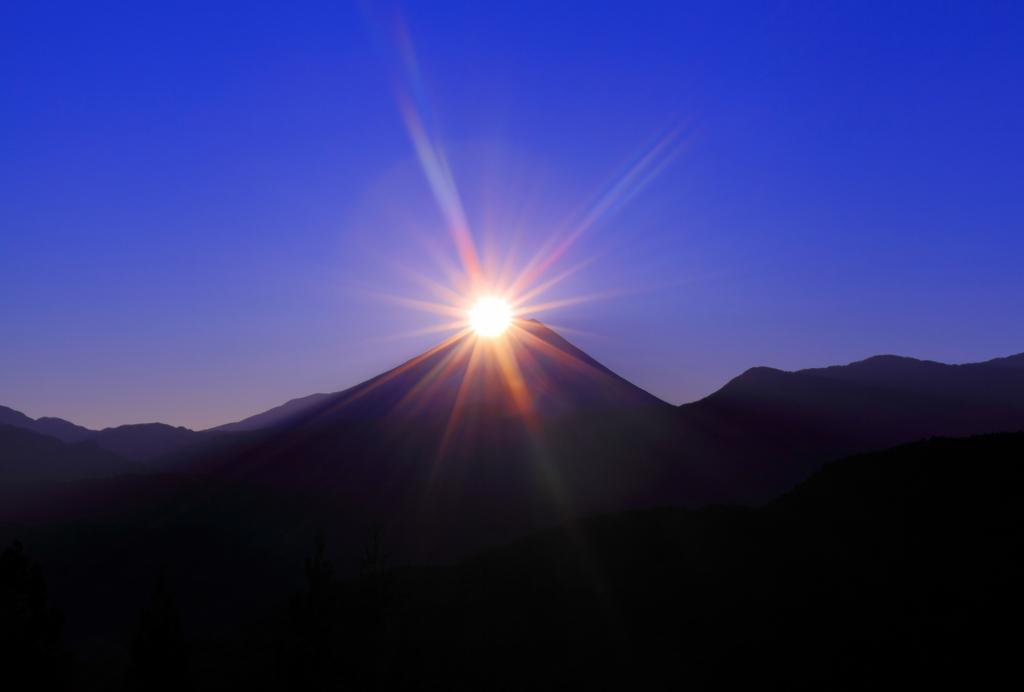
point(202, 201)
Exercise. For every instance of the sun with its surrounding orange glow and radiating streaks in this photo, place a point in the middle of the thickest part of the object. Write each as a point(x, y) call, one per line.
point(493, 293)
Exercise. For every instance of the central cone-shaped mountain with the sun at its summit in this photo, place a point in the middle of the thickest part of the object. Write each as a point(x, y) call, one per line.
point(474, 442)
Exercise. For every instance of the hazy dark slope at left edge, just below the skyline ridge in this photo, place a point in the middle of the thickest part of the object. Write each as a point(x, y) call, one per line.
point(27, 457)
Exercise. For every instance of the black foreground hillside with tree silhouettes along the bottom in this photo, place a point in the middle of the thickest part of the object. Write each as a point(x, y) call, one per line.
point(897, 569)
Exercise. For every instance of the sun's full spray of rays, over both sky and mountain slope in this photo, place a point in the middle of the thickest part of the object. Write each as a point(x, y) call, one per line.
point(503, 354)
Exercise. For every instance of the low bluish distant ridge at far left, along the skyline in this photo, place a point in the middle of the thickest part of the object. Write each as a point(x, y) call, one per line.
point(143, 443)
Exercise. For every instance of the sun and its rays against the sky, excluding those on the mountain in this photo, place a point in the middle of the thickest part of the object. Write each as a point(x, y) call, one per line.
point(487, 294)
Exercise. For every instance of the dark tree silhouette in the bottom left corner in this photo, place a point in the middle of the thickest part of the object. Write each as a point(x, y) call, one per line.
point(30, 630)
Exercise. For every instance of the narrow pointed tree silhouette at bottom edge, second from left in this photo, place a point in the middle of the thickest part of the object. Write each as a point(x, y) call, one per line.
point(159, 655)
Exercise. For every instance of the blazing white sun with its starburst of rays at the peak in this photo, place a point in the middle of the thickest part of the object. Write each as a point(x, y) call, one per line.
point(484, 311)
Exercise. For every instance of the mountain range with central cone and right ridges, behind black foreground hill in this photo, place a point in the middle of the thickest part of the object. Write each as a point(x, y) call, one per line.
point(477, 442)
